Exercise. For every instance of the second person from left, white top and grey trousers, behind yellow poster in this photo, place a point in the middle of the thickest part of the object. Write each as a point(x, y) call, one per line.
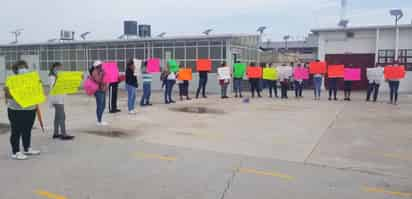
point(57, 101)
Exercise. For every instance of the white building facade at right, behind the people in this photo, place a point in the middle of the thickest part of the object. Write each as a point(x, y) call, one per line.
point(367, 46)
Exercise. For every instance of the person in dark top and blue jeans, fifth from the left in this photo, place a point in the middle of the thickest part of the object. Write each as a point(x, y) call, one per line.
point(131, 86)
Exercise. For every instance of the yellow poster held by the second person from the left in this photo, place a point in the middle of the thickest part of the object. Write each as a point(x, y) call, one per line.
point(67, 83)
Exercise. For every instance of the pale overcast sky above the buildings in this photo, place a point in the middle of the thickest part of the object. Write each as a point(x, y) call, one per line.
point(43, 19)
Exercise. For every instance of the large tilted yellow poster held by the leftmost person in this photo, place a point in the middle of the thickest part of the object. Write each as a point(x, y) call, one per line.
point(26, 89)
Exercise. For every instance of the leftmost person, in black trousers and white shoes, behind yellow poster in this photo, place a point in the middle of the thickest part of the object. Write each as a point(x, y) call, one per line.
point(21, 119)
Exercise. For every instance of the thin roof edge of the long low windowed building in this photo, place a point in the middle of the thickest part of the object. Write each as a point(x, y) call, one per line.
point(187, 37)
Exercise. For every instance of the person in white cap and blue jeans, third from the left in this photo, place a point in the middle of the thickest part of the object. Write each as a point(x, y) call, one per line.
point(97, 74)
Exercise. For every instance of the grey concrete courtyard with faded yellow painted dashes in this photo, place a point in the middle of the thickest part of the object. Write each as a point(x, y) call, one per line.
point(219, 149)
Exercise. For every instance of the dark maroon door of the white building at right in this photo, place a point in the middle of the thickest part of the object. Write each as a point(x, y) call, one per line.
point(362, 61)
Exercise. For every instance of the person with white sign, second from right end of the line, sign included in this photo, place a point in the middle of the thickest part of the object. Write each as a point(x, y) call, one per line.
point(375, 77)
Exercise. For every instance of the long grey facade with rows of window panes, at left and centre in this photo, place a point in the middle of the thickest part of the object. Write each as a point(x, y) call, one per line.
point(78, 55)
